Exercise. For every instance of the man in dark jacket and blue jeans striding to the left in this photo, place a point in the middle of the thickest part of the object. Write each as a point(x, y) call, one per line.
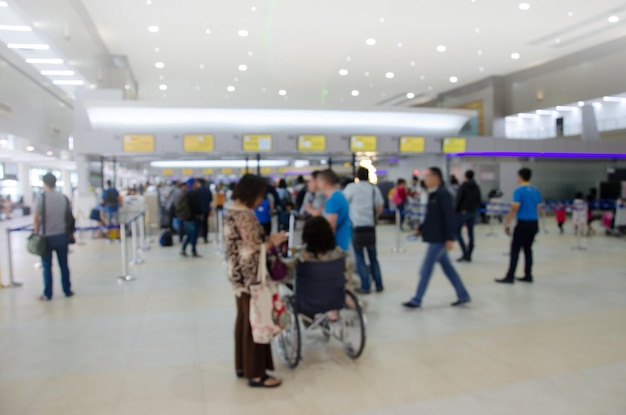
point(438, 231)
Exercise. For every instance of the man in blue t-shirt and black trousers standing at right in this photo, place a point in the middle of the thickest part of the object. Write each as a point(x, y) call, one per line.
point(526, 208)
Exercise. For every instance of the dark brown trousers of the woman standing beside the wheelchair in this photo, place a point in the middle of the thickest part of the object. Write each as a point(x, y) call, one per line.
point(250, 358)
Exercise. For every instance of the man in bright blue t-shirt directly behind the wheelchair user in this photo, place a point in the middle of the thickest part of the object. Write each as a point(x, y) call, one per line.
point(337, 209)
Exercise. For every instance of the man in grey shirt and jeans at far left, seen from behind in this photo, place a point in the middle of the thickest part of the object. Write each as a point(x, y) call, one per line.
point(50, 220)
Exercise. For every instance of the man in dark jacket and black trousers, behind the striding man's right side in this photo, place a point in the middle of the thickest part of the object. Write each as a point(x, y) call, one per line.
point(467, 204)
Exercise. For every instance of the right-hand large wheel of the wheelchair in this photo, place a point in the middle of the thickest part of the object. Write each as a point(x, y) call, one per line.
point(352, 326)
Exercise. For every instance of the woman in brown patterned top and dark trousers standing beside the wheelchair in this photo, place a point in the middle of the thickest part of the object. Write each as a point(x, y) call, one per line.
point(243, 236)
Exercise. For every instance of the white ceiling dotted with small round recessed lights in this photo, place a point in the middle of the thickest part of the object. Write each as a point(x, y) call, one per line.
point(301, 46)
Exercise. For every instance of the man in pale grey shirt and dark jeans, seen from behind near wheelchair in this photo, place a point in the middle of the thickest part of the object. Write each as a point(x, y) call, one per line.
point(366, 204)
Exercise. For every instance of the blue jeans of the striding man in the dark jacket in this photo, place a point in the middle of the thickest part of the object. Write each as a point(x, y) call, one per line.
point(438, 253)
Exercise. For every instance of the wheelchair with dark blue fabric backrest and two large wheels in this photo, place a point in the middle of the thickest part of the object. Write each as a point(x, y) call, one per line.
point(319, 287)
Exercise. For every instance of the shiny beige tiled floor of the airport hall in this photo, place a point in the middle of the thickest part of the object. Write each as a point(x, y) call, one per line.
point(163, 344)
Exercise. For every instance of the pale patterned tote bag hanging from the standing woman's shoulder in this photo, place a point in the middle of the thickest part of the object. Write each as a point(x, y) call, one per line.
point(268, 314)
